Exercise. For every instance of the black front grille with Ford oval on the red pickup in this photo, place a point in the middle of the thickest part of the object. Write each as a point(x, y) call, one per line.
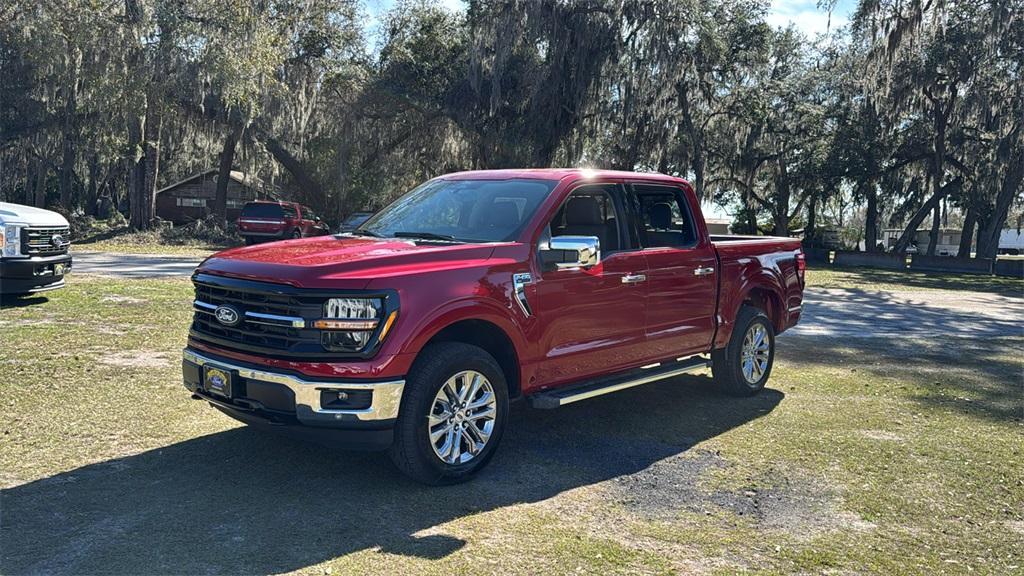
point(270, 320)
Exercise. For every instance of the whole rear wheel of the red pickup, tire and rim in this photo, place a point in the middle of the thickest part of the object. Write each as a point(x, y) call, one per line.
point(743, 367)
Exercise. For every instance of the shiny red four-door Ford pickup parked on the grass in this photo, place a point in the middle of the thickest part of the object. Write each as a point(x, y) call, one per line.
point(415, 332)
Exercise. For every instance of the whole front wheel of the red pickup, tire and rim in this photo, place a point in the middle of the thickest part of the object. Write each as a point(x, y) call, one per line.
point(454, 413)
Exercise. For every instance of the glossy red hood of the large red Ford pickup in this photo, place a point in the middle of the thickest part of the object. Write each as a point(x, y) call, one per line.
point(330, 262)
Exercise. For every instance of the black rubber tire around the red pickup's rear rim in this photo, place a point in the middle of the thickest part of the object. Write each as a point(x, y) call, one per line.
point(728, 363)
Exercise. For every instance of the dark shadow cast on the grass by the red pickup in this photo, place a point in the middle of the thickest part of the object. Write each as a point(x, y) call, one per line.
point(243, 502)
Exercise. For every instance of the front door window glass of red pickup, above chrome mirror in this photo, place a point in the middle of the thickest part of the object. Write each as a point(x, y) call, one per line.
point(590, 212)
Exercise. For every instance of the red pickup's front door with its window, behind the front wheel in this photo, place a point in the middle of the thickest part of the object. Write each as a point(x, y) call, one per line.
point(592, 320)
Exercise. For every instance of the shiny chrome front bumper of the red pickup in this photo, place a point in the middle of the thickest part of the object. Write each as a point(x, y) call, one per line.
point(387, 397)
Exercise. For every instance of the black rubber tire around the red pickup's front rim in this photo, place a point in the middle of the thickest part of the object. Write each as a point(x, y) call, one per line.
point(412, 451)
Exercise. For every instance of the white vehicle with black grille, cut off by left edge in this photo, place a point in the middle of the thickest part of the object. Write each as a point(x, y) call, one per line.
point(34, 250)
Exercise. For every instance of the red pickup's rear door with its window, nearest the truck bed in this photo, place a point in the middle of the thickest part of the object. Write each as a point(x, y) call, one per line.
point(682, 277)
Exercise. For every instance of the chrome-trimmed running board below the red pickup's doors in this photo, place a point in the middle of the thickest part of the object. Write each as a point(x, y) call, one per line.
point(575, 393)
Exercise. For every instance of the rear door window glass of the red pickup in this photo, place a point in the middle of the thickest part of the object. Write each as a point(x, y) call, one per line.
point(665, 218)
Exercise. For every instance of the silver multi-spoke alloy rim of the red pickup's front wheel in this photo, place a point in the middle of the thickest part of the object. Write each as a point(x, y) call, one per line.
point(462, 418)
